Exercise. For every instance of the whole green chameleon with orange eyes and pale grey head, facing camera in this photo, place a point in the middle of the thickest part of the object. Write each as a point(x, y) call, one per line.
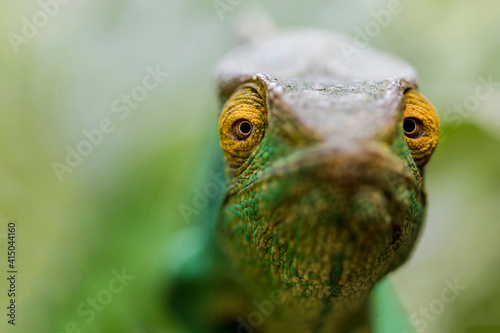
point(323, 155)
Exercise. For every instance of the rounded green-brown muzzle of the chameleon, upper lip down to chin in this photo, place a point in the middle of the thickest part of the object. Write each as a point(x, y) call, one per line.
point(334, 218)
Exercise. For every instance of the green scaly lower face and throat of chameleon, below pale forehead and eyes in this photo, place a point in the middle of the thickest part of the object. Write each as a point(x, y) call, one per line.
point(287, 199)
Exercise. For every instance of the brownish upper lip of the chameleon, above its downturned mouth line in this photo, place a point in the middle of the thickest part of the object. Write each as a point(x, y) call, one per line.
point(346, 166)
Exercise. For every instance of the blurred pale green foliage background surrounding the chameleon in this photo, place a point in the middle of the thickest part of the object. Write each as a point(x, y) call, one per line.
point(119, 208)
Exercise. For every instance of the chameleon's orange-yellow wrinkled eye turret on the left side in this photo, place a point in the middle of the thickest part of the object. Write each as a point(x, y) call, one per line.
point(242, 123)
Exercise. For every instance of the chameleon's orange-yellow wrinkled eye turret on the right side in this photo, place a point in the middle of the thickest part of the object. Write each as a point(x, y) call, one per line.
point(420, 126)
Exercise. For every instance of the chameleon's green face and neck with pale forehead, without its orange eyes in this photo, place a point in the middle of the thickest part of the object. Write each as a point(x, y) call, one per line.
point(317, 214)
